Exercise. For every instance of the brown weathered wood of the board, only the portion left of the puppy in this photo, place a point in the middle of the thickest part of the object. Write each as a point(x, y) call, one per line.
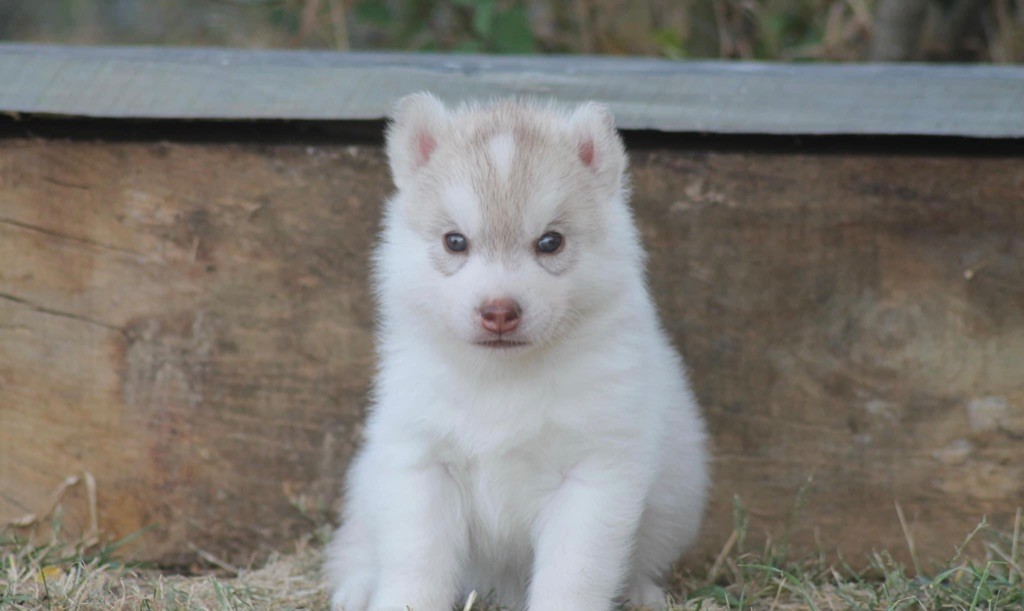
point(190, 326)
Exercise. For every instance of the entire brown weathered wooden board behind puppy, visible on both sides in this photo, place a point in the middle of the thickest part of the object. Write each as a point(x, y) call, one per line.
point(191, 325)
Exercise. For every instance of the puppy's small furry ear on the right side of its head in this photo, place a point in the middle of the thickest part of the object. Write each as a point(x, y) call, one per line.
point(599, 147)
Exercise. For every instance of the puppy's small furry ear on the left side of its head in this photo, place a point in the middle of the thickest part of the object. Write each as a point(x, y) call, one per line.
point(418, 123)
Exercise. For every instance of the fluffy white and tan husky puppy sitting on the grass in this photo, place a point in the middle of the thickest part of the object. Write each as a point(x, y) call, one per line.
point(533, 435)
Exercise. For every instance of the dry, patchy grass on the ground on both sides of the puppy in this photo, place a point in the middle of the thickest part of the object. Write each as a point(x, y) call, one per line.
point(86, 578)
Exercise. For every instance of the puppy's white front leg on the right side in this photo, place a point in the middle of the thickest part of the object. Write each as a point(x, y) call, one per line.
point(585, 541)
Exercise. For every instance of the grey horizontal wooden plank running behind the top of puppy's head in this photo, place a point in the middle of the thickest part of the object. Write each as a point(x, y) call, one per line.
point(646, 94)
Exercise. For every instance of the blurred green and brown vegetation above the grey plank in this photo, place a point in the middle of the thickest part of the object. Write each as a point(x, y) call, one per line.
point(989, 31)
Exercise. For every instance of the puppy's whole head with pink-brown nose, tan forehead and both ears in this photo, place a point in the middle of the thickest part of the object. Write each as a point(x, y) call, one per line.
point(505, 214)
